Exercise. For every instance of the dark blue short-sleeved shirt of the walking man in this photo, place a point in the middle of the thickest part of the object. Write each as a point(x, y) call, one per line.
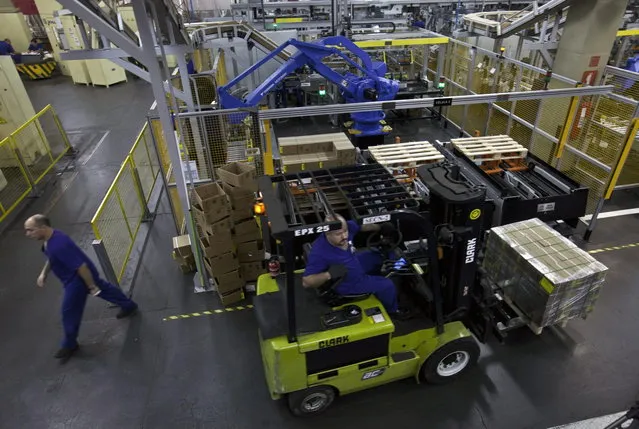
point(65, 257)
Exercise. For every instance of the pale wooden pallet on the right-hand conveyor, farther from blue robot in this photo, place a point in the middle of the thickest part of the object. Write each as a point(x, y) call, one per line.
point(490, 148)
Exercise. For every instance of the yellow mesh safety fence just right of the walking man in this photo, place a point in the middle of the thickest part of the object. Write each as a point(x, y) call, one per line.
point(125, 205)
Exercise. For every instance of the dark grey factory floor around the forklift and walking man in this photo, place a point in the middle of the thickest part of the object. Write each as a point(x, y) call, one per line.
point(206, 372)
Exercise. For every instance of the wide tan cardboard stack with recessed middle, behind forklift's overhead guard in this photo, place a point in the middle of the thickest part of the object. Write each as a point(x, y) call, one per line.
point(316, 151)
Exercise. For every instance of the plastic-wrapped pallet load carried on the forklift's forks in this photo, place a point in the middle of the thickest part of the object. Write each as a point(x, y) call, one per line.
point(544, 274)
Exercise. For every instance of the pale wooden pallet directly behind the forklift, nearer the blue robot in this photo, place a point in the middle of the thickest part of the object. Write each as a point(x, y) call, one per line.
point(405, 155)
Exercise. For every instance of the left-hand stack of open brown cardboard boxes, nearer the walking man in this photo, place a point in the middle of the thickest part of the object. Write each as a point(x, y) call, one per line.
point(213, 215)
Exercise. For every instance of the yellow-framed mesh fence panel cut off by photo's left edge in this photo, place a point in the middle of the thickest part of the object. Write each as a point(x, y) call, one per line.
point(14, 183)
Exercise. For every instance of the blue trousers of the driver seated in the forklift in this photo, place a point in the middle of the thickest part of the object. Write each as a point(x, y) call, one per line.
point(381, 287)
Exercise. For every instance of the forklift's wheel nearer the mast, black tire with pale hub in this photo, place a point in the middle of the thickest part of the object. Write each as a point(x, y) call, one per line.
point(451, 361)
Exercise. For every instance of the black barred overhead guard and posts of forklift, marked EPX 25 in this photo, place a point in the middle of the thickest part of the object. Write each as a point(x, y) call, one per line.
point(297, 205)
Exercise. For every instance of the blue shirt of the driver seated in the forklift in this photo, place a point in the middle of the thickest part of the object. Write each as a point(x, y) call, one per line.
point(324, 254)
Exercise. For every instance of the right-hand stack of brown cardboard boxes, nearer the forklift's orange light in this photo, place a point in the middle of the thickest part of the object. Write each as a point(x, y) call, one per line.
point(239, 181)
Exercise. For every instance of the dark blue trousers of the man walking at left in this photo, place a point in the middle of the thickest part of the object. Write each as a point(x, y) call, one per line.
point(74, 300)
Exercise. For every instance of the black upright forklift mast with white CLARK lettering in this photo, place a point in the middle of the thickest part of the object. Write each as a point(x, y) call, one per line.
point(456, 207)
